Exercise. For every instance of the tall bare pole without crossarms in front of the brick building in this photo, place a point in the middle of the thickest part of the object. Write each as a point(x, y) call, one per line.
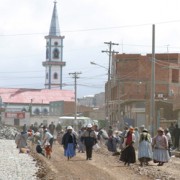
point(152, 106)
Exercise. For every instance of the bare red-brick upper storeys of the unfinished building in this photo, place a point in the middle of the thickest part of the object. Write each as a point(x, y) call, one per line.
point(133, 75)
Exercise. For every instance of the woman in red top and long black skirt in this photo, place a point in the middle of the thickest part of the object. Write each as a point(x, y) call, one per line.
point(128, 153)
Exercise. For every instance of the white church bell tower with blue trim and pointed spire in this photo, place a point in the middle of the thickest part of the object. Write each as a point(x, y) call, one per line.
point(54, 54)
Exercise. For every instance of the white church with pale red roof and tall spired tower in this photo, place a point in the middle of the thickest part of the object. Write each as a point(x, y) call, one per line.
point(19, 106)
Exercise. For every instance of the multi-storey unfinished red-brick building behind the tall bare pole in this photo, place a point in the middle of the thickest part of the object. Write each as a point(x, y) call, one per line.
point(128, 91)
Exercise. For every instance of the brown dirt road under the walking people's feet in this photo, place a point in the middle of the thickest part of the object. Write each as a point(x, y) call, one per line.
point(103, 166)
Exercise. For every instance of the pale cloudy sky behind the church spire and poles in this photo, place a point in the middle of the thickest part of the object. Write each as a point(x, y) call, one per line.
point(86, 25)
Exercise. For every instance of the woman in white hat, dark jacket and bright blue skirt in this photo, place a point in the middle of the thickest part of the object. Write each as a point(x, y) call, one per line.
point(69, 143)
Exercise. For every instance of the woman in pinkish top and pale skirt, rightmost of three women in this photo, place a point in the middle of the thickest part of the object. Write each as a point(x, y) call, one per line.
point(160, 148)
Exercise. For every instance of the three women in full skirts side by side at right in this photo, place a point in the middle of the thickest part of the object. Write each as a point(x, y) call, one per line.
point(156, 148)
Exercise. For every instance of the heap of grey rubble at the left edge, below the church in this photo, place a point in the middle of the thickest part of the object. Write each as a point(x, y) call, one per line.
point(7, 132)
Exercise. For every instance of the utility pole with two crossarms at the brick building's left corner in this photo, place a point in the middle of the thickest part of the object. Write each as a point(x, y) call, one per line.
point(110, 52)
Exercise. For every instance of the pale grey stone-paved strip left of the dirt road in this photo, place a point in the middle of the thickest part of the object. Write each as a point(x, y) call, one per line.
point(15, 165)
